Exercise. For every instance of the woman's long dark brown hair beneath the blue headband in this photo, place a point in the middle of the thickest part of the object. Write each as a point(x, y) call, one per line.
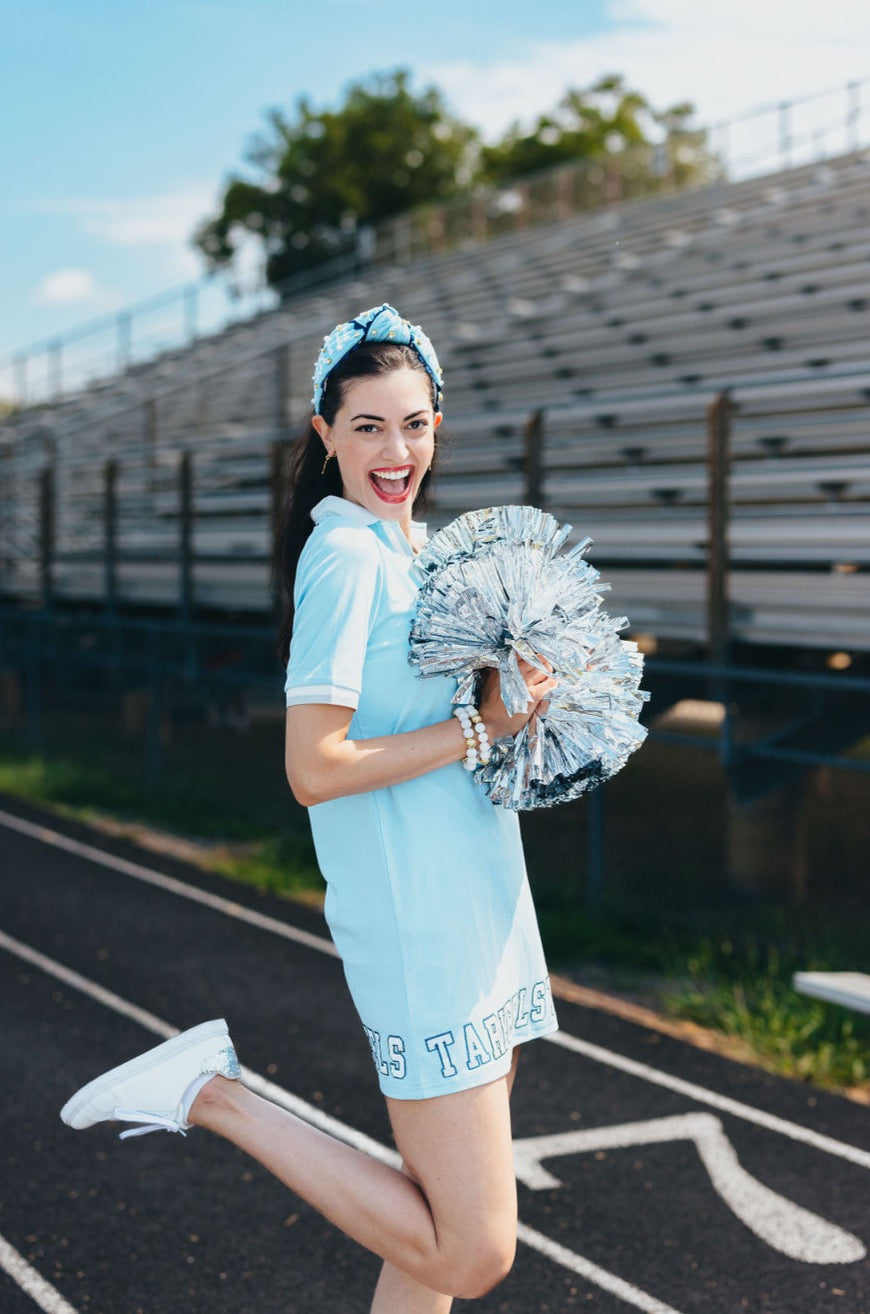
point(309, 482)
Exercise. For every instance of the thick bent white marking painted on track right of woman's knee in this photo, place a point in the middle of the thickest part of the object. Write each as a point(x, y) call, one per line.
point(785, 1227)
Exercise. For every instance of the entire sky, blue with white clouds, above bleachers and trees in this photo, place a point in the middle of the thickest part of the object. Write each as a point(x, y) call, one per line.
point(120, 119)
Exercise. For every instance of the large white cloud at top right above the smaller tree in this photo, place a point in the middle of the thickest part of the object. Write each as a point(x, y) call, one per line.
point(727, 60)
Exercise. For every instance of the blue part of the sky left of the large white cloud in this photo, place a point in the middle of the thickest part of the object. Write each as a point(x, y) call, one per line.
point(122, 118)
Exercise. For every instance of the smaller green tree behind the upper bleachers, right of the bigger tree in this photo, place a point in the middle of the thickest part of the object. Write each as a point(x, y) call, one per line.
point(593, 124)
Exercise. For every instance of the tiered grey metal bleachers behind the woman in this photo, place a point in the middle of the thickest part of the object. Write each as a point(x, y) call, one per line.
point(618, 328)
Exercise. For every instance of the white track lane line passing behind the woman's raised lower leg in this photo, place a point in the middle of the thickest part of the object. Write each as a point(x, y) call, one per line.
point(601, 1278)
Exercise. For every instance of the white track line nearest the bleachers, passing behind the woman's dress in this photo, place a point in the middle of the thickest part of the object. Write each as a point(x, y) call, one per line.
point(597, 1053)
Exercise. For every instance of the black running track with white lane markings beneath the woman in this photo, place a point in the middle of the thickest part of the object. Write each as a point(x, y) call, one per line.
point(654, 1177)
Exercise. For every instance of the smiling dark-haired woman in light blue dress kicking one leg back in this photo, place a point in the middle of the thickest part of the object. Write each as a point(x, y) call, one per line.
point(428, 895)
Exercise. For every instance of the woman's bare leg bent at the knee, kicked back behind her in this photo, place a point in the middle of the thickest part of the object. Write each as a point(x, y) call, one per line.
point(450, 1223)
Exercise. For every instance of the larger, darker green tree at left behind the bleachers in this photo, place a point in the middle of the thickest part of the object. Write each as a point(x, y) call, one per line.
point(324, 174)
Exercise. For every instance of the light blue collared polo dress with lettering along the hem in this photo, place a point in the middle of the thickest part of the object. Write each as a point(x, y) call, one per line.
point(428, 897)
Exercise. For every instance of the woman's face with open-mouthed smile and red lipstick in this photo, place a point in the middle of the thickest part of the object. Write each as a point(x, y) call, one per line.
point(384, 440)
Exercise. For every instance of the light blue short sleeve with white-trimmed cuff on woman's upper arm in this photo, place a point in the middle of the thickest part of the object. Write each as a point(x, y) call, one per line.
point(334, 599)
